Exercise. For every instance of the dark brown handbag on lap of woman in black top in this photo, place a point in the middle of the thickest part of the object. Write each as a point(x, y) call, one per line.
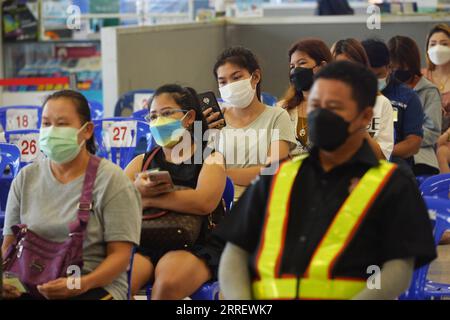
point(165, 230)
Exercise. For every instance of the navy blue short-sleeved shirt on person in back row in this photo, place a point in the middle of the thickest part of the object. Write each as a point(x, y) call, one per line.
point(408, 111)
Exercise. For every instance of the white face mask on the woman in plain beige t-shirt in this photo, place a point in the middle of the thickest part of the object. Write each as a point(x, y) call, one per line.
point(238, 94)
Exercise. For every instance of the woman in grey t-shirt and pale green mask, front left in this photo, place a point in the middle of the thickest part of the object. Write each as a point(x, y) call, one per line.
point(46, 194)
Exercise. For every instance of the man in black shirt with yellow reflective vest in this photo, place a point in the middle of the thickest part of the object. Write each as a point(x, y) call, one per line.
point(335, 224)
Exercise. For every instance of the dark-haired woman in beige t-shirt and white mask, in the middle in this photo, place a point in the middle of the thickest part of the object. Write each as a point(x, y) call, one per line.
point(255, 134)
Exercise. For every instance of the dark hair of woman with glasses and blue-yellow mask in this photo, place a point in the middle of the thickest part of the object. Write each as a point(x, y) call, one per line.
point(187, 99)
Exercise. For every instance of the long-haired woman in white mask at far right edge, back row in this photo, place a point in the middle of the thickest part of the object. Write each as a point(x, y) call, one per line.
point(438, 69)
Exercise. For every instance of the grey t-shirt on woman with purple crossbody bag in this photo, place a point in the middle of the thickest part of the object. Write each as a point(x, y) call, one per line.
point(47, 207)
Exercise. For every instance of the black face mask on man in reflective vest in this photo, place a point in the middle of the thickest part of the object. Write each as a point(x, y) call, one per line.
point(327, 130)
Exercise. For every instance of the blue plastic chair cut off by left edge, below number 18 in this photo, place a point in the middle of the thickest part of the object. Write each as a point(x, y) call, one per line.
point(9, 156)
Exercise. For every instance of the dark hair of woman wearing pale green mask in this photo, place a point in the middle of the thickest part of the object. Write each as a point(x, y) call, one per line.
point(81, 106)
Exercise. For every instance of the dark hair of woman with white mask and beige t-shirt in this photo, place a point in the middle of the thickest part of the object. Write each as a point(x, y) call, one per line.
point(243, 58)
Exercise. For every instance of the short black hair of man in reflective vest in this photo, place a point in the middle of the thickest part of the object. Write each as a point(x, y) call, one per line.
point(363, 82)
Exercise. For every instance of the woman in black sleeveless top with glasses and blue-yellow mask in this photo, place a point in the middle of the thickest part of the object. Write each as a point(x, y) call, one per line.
point(178, 274)
